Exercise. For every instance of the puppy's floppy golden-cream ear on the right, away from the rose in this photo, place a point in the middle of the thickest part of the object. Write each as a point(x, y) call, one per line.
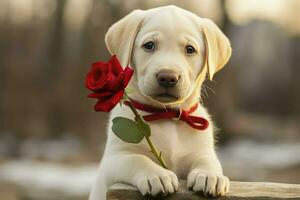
point(218, 49)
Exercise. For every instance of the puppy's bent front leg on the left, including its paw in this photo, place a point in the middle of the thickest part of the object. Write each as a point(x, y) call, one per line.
point(141, 172)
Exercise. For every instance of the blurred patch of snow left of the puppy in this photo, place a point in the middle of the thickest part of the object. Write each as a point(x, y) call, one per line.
point(53, 177)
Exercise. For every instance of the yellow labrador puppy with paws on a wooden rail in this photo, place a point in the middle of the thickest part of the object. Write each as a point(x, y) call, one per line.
point(172, 51)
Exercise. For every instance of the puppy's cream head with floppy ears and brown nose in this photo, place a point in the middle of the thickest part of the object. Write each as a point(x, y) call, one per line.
point(171, 50)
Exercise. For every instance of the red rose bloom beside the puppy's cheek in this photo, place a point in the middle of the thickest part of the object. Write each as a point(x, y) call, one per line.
point(108, 82)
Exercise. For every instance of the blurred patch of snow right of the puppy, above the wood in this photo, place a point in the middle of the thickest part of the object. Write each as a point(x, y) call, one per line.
point(269, 155)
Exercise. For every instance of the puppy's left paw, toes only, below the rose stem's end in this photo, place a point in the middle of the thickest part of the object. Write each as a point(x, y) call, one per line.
point(163, 182)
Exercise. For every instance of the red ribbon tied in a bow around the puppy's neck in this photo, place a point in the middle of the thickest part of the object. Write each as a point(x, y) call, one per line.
point(170, 113)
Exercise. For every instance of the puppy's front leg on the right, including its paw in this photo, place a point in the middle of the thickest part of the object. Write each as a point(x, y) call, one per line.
point(206, 176)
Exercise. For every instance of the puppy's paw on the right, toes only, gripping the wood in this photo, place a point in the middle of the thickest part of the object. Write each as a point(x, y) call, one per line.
point(208, 183)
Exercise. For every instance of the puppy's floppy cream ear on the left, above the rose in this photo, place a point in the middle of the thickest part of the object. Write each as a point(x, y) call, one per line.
point(120, 37)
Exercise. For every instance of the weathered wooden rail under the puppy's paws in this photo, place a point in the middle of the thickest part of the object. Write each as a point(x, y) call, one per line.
point(238, 190)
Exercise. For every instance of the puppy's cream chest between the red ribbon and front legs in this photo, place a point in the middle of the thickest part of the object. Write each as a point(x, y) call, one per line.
point(176, 140)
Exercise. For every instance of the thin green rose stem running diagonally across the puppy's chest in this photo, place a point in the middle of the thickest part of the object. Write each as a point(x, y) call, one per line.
point(153, 150)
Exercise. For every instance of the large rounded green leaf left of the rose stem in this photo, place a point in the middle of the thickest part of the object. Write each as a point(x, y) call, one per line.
point(127, 130)
